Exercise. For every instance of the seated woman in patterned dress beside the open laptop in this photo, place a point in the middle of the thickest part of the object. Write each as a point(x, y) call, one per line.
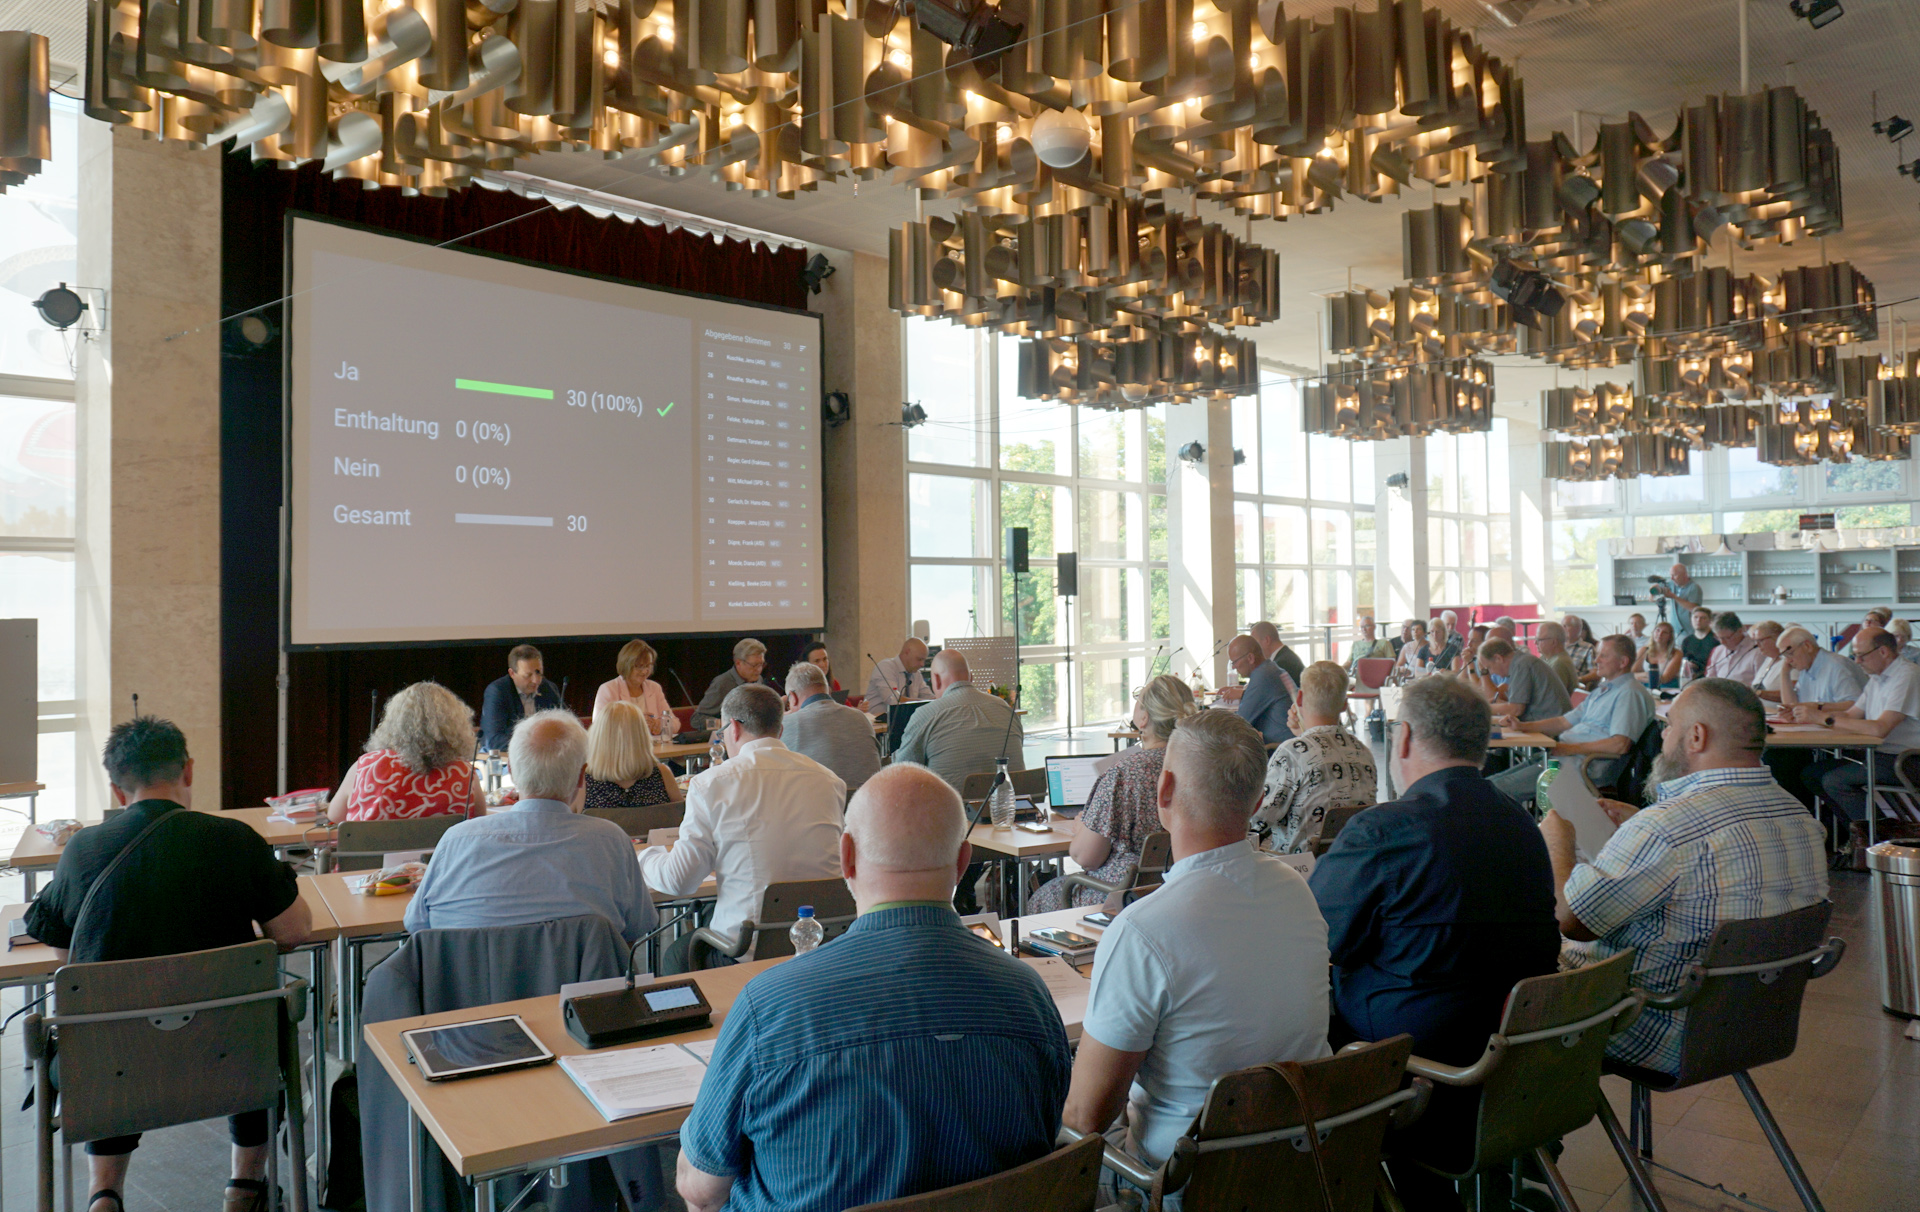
point(1122, 808)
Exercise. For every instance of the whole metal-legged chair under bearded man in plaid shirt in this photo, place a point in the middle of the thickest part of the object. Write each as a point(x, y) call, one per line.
point(1742, 1006)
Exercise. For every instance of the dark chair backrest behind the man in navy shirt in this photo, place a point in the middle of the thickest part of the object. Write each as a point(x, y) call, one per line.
point(1548, 1088)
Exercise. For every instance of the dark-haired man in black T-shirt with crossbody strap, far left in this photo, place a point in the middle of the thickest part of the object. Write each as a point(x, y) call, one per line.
point(191, 885)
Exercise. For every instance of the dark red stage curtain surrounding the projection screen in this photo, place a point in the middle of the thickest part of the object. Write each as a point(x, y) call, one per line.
point(333, 694)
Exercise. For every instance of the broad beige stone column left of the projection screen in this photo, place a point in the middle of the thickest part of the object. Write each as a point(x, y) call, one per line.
point(149, 546)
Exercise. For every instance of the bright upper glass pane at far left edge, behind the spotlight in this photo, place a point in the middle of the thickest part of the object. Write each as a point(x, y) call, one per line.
point(39, 220)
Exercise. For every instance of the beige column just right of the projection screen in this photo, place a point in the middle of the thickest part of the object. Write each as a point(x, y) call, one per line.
point(865, 481)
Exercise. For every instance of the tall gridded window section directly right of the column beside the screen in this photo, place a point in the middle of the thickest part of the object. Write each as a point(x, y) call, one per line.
point(1086, 481)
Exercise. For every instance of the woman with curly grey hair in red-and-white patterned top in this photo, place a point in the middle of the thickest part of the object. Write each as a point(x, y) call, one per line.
point(418, 764)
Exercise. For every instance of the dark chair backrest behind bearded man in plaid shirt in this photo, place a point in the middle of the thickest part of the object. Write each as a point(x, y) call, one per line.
point(1750, 1019)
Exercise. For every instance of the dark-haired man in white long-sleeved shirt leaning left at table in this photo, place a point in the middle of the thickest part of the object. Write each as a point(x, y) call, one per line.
point(767, 815)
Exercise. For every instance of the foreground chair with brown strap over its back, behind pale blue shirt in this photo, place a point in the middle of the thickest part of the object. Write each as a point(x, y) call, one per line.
point(1287, 1138)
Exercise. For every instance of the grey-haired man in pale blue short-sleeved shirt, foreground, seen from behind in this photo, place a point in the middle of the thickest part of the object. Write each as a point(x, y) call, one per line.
point(1222, 969)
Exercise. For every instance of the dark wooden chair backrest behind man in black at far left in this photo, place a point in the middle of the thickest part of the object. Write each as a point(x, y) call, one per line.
point(147, 1073)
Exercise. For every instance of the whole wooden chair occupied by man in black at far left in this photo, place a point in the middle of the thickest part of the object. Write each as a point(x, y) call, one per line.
point(170, 1040)
